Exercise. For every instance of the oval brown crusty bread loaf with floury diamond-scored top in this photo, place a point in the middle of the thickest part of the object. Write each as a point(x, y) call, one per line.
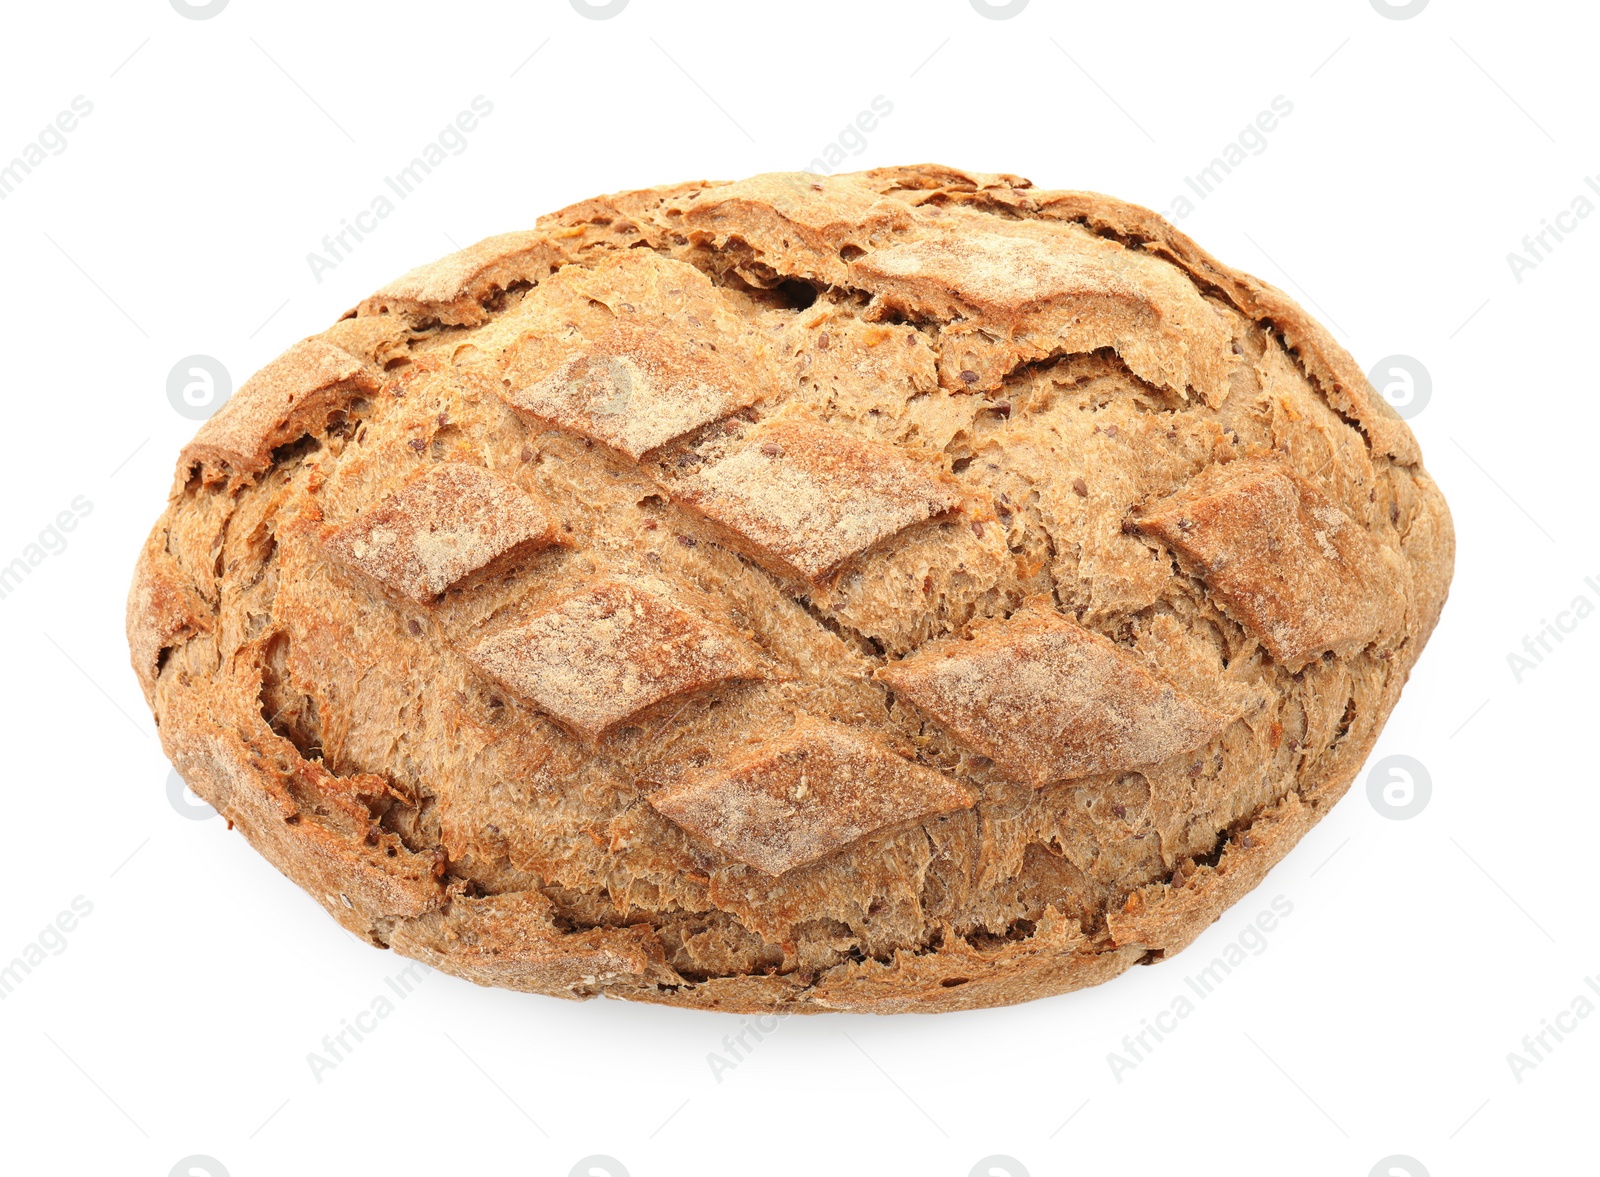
point(905, 591)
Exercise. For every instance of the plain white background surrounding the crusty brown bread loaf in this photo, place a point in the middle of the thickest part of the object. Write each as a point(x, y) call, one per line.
point(177, 221)
